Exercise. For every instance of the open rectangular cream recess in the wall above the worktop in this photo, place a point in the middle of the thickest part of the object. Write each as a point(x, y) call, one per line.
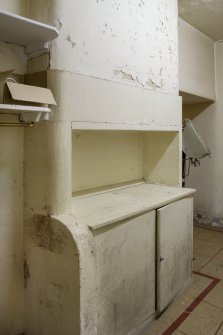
point(102, 160)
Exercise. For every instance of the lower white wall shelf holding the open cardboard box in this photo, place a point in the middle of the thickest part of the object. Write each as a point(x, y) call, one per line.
point(26, 113)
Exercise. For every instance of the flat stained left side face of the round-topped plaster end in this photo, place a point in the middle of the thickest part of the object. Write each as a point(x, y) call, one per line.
point(52, 258)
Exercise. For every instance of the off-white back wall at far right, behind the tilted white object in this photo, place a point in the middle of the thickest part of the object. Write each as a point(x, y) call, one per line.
point(207, 178)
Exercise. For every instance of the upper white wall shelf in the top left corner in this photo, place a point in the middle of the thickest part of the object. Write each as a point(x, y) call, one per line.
point(23, 31)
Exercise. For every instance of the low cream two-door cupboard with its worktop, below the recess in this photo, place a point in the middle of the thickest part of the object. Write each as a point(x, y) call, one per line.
point(142, 260)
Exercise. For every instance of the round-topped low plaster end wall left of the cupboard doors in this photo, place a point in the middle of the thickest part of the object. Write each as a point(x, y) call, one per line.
point(59, 273)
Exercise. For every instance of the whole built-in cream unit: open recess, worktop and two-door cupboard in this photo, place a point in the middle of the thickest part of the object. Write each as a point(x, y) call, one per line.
point(141, 228)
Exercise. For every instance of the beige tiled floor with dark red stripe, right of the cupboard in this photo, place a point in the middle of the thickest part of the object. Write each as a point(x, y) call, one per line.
point(204, 316)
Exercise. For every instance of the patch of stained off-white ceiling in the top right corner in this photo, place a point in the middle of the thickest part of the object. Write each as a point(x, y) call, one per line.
point(205, 15)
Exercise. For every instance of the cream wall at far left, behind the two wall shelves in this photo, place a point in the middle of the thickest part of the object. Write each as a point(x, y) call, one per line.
point(11, 204)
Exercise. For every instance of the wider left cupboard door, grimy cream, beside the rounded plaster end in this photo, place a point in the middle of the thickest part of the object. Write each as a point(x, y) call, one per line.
point(125, 255)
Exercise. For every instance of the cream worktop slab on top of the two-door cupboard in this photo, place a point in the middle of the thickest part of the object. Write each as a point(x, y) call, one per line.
point(105, 208)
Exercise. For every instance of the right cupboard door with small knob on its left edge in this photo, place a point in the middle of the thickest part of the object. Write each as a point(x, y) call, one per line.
point(174, 249)
